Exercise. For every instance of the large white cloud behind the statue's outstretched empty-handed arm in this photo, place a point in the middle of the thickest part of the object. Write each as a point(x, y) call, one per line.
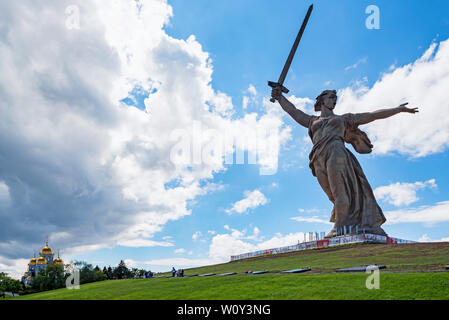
point(421, 83)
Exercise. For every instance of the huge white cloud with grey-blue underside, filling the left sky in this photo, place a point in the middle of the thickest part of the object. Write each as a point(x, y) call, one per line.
point(81, 165)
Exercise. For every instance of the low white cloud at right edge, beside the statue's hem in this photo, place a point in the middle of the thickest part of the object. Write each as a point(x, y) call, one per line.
point(424, 214)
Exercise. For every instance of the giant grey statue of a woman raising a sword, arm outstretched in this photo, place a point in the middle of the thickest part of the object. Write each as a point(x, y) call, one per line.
point(336, 168)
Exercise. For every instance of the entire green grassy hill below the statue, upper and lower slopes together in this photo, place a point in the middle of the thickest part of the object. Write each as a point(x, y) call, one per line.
point(412, 273)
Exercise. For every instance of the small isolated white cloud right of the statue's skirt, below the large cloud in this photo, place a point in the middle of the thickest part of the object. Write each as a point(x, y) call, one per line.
point(400, 194)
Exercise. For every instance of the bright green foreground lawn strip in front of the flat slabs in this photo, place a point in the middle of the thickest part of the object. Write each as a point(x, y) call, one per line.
point(269, 286)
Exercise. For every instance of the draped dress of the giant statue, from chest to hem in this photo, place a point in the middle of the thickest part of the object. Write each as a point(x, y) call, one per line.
point(341, 176)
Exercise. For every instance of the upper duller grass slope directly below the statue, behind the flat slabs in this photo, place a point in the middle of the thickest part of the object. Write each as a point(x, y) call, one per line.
point(416, 257)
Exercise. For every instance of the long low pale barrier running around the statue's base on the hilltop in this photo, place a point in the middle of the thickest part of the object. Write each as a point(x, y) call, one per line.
point(324, 243)
